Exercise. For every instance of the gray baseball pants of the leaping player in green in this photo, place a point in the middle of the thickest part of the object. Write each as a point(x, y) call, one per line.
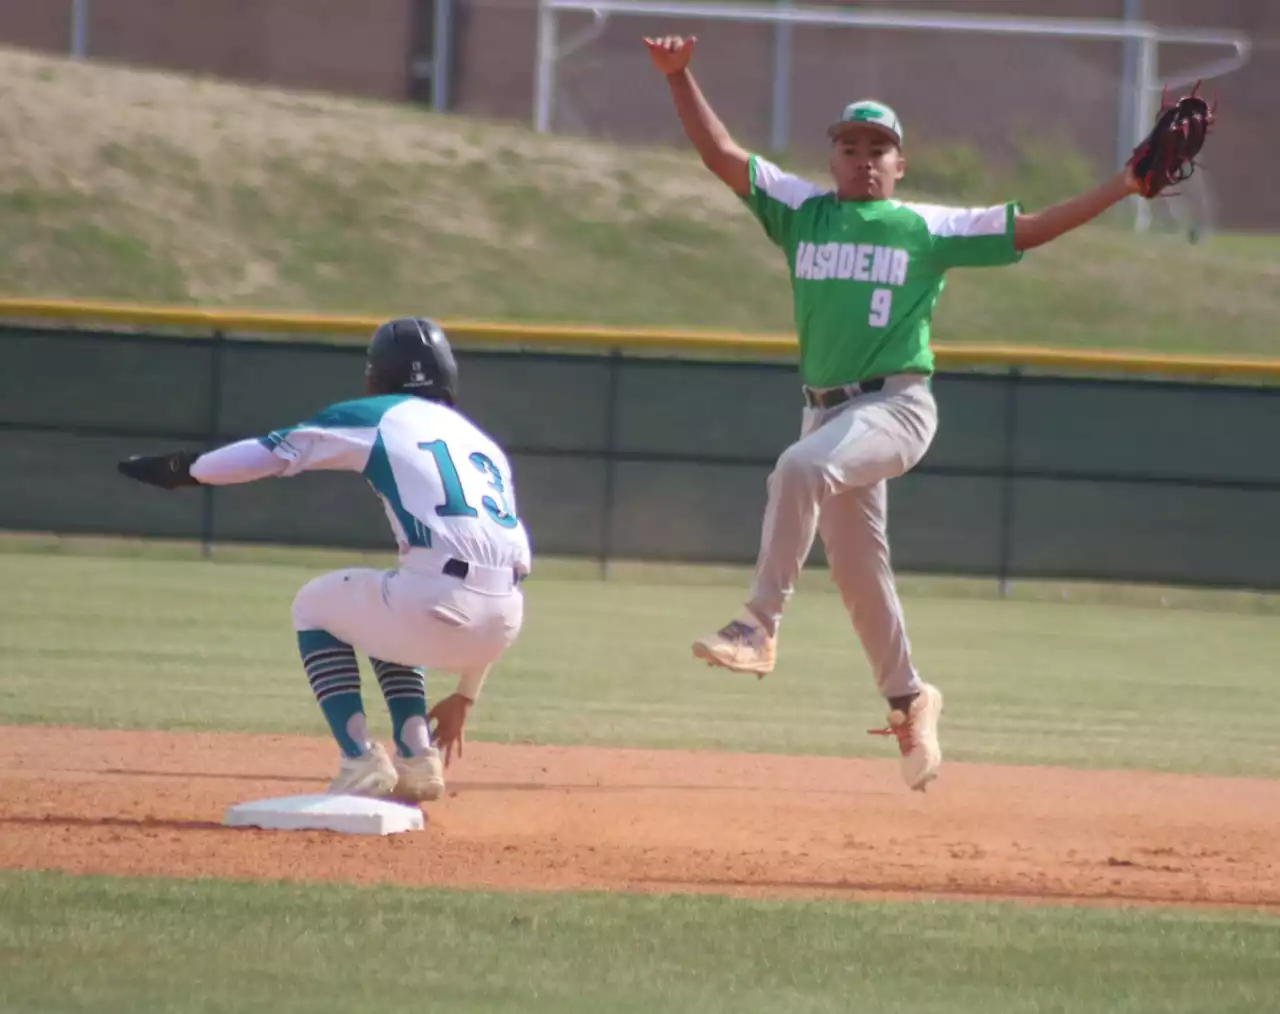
point(834, 481)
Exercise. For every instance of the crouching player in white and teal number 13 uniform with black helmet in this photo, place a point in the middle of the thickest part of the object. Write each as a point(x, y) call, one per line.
point(452, 604)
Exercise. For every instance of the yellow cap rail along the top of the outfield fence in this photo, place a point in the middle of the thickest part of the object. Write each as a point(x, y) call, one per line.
point(636, 340)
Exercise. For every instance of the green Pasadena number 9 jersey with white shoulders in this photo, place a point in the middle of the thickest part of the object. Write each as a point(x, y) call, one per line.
point(866, 276)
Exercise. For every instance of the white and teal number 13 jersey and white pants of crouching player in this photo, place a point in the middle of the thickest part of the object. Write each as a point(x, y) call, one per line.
point(449, 494)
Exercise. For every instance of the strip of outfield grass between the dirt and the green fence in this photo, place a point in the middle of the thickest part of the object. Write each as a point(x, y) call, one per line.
point(120, 642)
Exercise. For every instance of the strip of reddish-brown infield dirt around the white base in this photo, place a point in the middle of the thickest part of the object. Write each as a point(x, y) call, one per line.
point(551, 819)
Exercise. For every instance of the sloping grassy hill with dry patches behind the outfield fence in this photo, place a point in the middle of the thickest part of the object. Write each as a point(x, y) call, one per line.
point(124, 184)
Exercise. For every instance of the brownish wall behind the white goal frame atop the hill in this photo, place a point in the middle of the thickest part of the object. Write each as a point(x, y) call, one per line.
point(947, 89)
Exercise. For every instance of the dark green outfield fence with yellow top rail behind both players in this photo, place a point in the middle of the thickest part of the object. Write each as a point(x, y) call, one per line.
point(646, 445)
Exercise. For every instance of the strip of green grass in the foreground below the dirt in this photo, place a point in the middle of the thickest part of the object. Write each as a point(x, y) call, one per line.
point(86, 944)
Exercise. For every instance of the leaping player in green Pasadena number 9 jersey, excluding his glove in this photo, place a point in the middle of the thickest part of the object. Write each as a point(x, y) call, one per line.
point(866, 275)
